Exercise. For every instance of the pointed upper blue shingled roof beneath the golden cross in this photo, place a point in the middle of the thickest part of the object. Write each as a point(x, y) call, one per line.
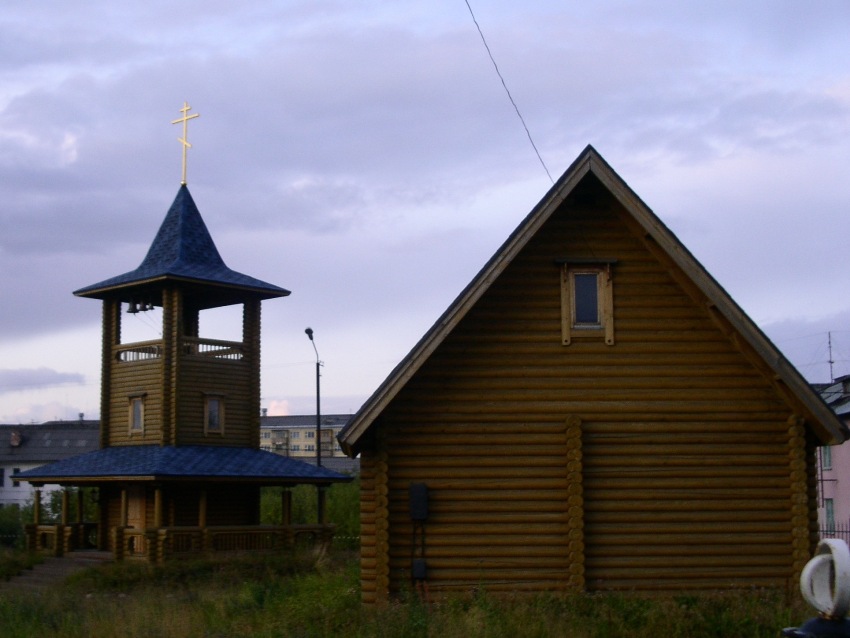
point(183, 249)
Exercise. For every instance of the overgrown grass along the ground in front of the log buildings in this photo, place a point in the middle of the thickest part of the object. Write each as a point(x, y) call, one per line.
point(296, 595)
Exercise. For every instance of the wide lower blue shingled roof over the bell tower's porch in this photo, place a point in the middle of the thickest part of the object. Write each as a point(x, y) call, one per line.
point(182, 462)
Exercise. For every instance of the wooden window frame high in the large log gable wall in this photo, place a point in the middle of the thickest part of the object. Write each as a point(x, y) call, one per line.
point(570, 327)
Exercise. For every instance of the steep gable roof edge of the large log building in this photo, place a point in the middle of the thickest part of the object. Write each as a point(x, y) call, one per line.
point(827, 425)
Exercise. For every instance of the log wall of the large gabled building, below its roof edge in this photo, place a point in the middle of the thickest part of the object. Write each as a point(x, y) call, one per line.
point(691, 476)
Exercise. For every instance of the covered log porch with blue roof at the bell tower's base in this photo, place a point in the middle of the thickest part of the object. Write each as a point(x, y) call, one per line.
point(189, 510)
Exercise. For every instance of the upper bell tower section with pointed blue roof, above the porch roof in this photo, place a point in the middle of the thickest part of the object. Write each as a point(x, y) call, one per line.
point(183, 388)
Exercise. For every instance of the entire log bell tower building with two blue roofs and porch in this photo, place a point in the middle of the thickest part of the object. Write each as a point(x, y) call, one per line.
point(179, 466)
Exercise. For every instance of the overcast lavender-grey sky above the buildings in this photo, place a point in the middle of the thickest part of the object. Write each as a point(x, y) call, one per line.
point(366, 156)
